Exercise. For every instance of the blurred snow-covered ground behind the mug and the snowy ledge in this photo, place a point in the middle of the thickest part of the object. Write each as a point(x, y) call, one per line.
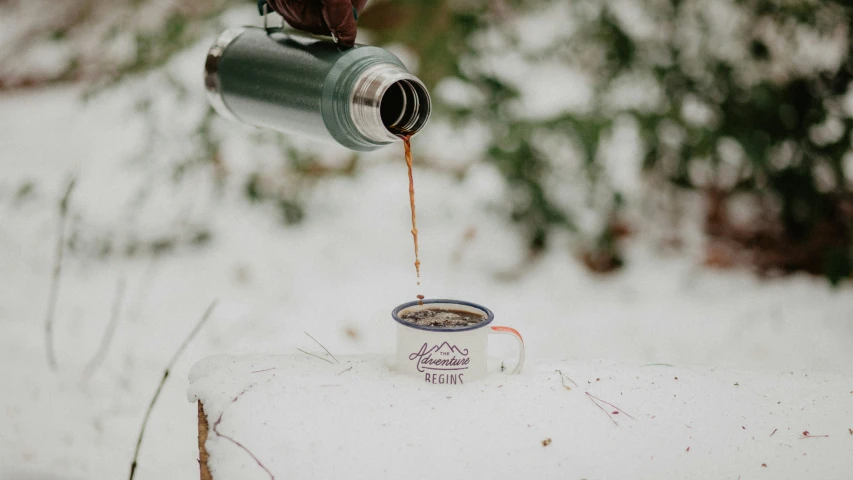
point(336, 276)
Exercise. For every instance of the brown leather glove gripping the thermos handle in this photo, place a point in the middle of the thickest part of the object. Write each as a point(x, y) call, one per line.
point(322, 17)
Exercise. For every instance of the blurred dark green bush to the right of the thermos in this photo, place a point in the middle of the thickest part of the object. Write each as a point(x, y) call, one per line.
point(772, 120)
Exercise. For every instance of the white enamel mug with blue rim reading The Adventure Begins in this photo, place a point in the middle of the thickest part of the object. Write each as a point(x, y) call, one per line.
point(447, 355)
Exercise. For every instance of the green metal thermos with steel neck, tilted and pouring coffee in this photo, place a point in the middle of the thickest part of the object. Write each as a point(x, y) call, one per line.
point(361, 97)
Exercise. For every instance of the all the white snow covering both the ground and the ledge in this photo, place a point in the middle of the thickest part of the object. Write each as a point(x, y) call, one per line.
point(339, 274)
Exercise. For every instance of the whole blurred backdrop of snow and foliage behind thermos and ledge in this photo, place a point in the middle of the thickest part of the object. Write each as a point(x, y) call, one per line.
point(628, 181)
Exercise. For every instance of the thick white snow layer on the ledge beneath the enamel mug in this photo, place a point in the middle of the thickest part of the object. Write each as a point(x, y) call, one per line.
point(306, 418)
